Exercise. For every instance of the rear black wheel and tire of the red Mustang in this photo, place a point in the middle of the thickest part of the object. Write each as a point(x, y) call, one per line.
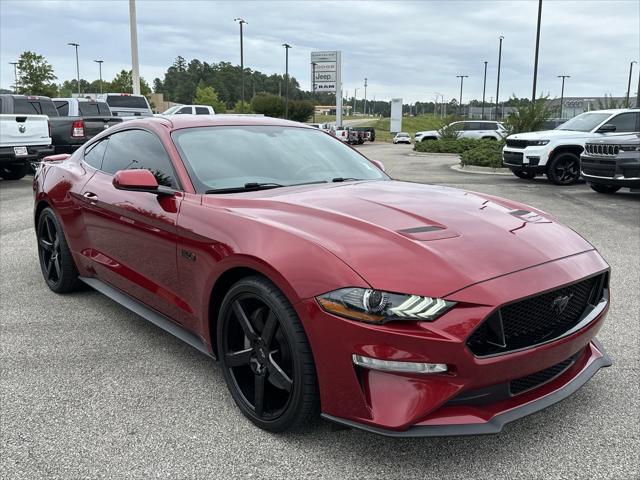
point(58, 269)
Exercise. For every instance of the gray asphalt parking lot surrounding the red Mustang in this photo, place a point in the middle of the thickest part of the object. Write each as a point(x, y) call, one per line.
point(90, 390)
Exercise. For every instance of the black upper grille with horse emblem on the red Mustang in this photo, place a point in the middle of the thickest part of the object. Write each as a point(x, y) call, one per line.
point(537, 319)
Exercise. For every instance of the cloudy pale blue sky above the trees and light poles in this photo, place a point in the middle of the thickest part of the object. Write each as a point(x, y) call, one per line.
point(405, 49)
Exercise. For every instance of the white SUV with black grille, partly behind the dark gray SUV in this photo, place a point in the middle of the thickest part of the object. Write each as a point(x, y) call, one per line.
point(556, 153)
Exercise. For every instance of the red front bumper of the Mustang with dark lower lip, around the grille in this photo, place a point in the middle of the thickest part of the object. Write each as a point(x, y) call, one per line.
point(420, 405)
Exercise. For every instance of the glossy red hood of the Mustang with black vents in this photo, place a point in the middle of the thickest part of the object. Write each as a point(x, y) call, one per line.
point(413, 238)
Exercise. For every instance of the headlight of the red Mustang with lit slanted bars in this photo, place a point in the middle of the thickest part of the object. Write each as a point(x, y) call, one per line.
point(375, 306)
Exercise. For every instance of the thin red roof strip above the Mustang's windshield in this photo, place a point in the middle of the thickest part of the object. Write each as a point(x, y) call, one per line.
point(176, 122)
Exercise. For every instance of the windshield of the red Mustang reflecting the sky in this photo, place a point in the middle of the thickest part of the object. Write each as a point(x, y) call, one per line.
point(231, 157)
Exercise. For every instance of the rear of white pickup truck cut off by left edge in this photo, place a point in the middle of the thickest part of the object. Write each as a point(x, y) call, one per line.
point(23, 139)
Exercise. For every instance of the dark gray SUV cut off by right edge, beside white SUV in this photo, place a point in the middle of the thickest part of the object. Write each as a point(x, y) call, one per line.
point(610, 164)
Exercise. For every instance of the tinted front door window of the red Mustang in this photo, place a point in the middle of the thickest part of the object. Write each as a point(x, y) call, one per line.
point(133, 149)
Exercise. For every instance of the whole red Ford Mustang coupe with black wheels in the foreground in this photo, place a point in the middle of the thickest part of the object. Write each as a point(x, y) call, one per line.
point(322, 285)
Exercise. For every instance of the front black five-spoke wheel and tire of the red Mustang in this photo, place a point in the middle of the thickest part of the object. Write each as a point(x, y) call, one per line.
point(266, 357)
